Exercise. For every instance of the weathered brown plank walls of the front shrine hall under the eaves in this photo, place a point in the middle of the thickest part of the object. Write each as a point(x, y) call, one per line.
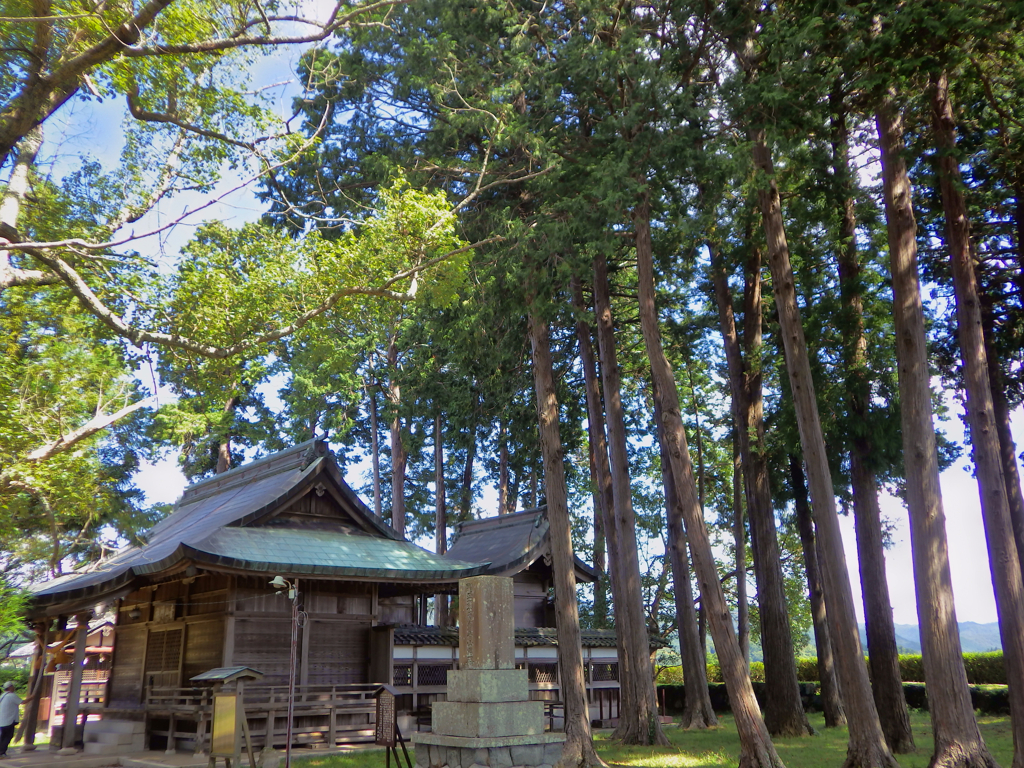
point(170, 632)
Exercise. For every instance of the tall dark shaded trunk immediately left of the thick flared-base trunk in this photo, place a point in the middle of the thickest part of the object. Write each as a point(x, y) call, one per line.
point(882, 651)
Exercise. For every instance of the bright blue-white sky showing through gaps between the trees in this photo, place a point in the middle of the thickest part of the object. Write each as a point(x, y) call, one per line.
point(91, 129)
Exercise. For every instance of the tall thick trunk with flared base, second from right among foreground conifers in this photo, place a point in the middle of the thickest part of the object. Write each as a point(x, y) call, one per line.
point(958, 740)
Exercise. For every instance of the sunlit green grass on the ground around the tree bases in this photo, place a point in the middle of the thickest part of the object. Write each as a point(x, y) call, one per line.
point(721, 748)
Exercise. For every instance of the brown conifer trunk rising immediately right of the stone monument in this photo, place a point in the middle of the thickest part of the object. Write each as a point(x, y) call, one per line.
point(579, 746)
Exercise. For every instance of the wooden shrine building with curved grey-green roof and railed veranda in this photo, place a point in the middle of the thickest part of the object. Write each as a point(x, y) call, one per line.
point(197, 596)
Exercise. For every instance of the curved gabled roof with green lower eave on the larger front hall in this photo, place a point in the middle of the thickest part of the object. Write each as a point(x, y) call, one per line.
point(228, 523)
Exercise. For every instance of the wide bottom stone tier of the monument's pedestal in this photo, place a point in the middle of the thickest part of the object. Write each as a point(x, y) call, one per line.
point(437, 751)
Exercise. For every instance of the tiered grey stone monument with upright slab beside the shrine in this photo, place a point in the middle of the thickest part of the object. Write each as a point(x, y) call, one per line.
point(488, 720)
